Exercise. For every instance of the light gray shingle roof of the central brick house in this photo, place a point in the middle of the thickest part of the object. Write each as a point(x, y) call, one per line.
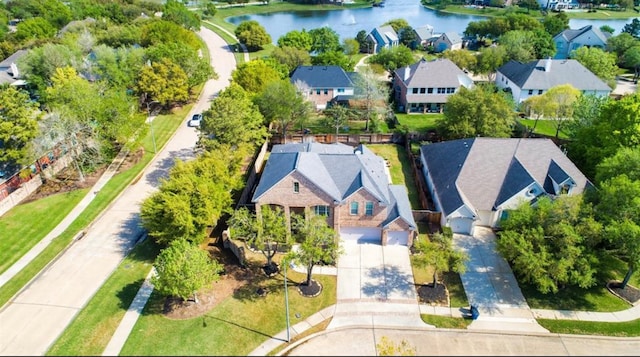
point(337, 169)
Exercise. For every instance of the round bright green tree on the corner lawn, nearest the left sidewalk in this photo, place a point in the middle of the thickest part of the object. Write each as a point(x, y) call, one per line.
point(182, 269)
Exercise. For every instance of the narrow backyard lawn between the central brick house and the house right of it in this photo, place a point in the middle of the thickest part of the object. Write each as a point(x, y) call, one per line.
point(400, 168)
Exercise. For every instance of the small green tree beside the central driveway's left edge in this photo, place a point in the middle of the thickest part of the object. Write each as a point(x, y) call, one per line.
point(318, 243)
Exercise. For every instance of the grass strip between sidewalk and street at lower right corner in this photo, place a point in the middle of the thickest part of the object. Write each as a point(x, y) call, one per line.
point(618, 329)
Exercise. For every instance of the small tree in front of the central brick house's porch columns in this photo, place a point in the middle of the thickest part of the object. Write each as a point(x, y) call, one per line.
point(264, 231)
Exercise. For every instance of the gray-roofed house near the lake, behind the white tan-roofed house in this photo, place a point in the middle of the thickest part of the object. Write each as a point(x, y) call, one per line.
point(572, 39)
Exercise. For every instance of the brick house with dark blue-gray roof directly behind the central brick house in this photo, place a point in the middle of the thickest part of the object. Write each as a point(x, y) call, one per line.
point(321, 84)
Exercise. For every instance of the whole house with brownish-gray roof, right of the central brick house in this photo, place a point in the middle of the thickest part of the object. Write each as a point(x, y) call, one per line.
point(476, 181)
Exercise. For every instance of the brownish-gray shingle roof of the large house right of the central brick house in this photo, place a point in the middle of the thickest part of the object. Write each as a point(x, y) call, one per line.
point(486, 170)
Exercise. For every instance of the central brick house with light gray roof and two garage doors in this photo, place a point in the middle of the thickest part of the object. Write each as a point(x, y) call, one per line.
point(349, 185)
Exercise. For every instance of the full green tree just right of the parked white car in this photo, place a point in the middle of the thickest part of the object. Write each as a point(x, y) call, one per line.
point(232, 119)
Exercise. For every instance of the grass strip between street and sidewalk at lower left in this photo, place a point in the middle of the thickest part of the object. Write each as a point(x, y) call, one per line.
point(91, 330)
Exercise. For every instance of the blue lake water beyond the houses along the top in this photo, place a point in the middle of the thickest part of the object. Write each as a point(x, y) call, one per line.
point(348, 22)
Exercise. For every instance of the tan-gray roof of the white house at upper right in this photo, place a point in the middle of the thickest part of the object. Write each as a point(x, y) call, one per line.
point(532, 75)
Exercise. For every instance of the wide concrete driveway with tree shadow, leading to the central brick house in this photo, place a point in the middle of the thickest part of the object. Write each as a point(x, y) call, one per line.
point(375, 287)
